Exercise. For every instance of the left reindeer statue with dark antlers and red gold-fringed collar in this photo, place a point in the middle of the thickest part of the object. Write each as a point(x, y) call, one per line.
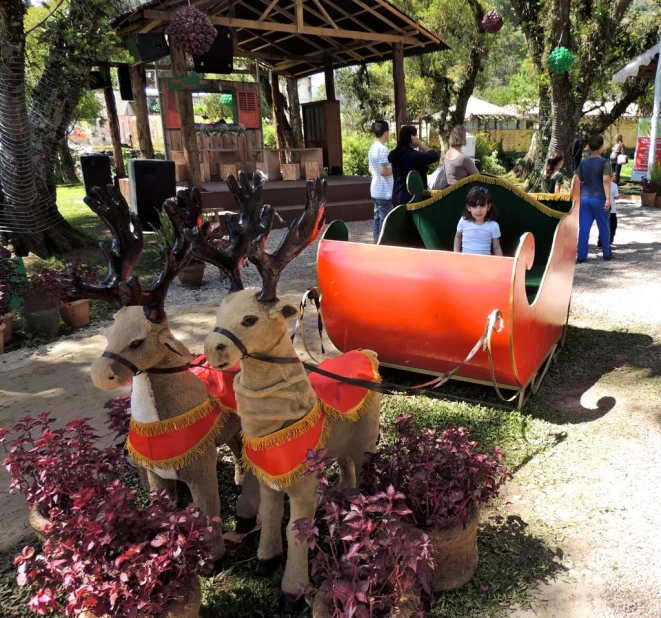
point(175, 424)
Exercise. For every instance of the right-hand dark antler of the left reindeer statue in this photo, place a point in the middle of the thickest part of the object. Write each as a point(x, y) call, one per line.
point(184, 211)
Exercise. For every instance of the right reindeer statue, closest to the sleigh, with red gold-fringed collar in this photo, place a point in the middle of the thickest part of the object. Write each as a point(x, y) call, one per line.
point(283, 412)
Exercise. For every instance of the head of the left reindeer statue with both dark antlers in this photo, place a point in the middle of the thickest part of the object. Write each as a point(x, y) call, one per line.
point(140, 338)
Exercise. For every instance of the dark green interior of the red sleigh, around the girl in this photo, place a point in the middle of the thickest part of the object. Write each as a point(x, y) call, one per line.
point(434, 226)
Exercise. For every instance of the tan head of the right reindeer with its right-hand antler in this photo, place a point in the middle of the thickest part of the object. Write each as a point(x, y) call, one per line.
point(256, 321)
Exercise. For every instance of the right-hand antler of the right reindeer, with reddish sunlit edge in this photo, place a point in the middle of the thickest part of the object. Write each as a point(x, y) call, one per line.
point(299, 235)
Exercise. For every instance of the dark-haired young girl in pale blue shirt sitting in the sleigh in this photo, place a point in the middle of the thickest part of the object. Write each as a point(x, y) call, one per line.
point(477, 232)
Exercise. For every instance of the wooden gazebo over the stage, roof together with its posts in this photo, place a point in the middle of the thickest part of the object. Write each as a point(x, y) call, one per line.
point(295, 38)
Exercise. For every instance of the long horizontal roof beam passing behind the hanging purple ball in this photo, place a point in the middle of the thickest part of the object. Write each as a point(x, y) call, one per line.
point(270, 26)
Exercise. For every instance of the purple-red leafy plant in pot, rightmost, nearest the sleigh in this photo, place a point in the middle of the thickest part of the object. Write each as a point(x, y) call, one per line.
point(443, 477)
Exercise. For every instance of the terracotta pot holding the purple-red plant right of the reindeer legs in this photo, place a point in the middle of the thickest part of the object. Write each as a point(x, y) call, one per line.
point(454, 551)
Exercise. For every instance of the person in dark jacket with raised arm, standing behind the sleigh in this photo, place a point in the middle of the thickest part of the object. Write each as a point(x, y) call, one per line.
point(405, 158)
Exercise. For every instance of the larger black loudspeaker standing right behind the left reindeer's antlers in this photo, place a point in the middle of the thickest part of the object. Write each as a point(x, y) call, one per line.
point(152, 181)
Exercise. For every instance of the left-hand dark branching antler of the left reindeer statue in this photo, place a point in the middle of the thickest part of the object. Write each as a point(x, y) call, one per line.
point(122, 254)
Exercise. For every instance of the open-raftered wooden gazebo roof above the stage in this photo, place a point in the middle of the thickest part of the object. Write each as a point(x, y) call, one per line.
point(293, 36)
